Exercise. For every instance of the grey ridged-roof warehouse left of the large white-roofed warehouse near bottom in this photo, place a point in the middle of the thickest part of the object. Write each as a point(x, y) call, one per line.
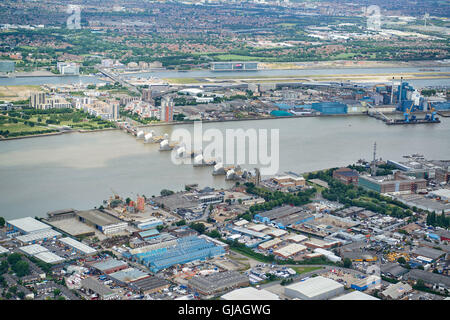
point(218, 282)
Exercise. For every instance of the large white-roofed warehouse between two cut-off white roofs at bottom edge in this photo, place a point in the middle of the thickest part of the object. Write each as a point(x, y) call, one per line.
point(317, 288)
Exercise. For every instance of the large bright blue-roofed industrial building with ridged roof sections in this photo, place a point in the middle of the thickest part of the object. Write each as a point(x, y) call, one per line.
point(166, 254)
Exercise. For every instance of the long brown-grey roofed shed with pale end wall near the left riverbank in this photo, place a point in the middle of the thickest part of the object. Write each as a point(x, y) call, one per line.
point(102, 221)
